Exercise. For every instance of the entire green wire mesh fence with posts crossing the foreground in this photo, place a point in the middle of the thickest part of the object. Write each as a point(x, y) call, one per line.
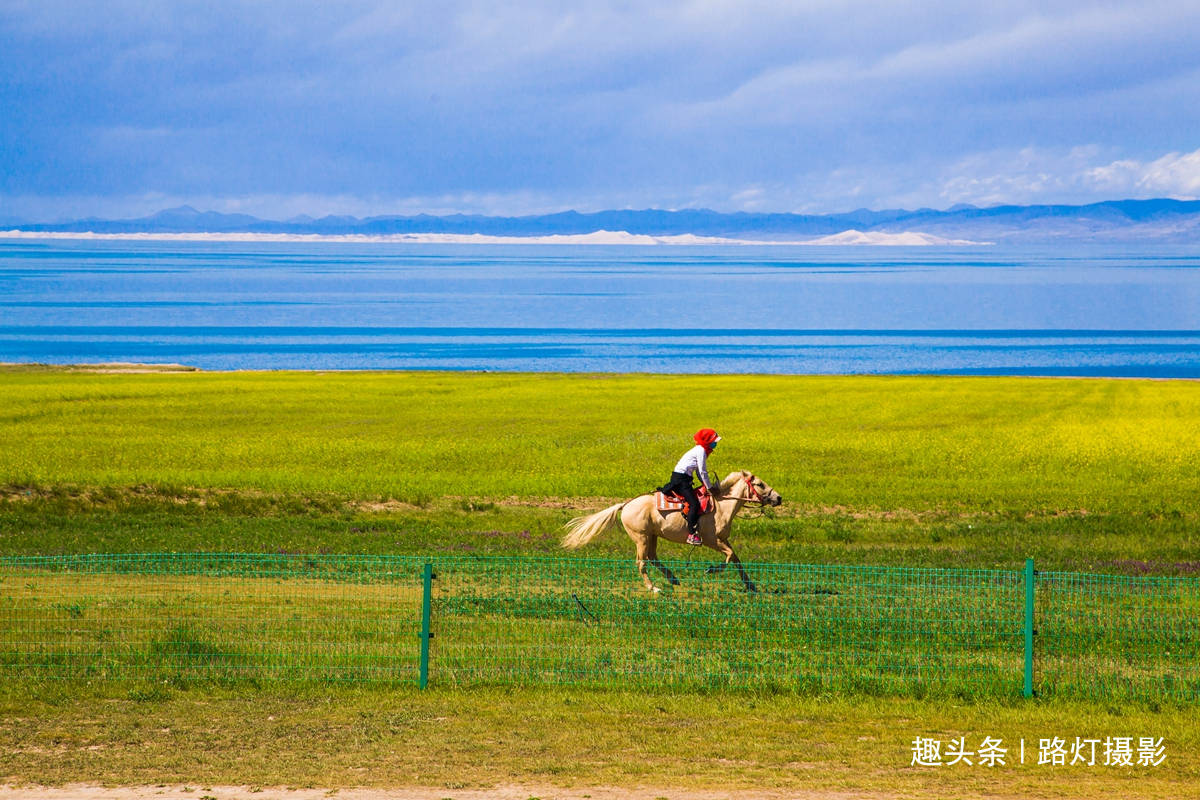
point(477, 621)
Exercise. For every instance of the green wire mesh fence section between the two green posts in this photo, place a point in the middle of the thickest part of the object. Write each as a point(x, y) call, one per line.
point(808, 628)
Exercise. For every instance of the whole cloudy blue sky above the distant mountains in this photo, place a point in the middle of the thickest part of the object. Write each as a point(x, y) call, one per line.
point(123, 109)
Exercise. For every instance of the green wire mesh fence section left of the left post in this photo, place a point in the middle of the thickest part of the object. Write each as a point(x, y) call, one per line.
point(211, 617)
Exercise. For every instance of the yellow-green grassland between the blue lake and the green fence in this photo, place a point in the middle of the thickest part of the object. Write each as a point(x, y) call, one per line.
point(1100, 476)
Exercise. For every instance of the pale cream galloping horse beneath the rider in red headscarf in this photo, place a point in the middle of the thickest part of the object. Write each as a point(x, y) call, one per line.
point(646, 525)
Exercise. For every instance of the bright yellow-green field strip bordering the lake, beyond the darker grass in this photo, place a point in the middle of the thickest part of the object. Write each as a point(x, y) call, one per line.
point(861, 443)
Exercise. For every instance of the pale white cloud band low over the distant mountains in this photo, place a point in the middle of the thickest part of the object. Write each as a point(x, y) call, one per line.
point(1030, 176)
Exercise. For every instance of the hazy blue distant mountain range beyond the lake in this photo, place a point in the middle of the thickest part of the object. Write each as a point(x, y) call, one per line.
point(1163, 220)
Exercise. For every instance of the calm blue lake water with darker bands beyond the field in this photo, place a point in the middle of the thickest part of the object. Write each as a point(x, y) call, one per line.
point(1123, 311)
